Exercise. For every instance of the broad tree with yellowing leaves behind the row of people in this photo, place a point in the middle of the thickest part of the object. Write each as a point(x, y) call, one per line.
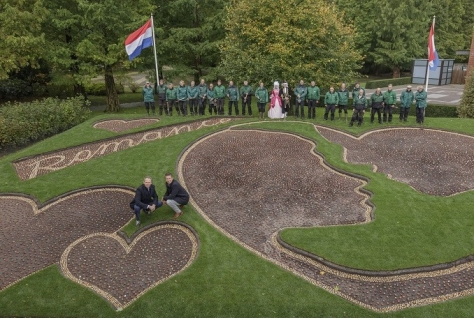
point(292, 39)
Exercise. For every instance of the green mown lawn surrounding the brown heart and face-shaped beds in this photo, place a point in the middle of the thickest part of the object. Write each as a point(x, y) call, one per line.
point(226, 280)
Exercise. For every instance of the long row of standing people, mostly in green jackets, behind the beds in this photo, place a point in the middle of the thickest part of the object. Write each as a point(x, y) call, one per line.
point(197, 97)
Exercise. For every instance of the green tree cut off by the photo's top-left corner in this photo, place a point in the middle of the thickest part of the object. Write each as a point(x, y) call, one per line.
point(22, 38)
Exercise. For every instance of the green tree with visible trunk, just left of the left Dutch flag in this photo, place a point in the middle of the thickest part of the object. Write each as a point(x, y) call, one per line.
point(87, 38)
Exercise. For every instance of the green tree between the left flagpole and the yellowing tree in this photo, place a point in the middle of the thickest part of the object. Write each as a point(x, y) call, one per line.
point(188, 33)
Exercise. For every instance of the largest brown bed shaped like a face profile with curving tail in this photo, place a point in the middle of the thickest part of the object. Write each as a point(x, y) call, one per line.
point(251, 184)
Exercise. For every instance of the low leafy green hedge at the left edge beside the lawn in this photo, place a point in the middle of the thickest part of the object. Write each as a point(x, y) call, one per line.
point(21, 123)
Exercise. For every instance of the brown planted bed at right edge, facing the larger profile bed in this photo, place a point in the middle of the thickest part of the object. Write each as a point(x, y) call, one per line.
point(432, 162)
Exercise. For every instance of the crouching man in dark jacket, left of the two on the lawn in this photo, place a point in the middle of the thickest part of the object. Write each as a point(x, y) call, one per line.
point(145, 198)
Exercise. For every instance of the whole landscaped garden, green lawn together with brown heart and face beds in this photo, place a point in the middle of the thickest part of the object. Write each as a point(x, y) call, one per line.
point(250, 188)
